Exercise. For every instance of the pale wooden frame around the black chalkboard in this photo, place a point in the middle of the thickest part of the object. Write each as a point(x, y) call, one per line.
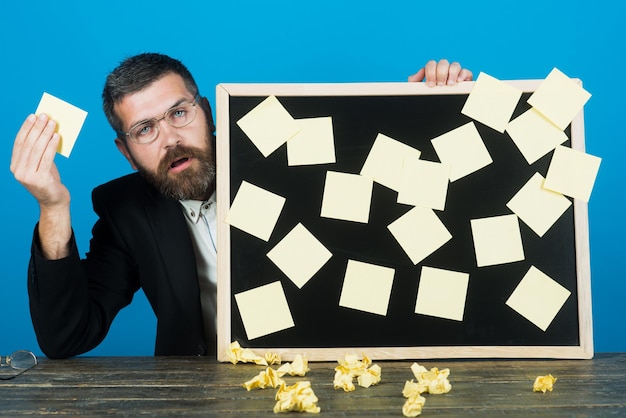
point(582, 349)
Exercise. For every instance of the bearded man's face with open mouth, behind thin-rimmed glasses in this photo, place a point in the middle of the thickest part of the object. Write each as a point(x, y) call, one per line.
point(181, 161)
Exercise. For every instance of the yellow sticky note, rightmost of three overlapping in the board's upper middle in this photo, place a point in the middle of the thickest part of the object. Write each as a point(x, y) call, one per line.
point(463, 150)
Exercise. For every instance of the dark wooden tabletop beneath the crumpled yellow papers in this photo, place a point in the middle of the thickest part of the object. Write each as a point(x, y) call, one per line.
point(196, 386)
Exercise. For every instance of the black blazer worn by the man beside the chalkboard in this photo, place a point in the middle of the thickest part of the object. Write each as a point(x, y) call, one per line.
point(140, 240)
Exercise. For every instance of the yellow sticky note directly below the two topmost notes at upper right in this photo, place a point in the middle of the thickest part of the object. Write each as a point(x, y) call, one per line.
point(534, 135)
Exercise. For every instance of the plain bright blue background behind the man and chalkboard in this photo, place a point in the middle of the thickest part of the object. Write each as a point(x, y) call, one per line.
point(68, 47)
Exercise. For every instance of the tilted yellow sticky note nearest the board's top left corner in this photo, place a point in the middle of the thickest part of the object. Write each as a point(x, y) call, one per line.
point(269, 125)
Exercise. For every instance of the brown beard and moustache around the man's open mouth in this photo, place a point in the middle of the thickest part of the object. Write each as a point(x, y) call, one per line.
point(196, 182)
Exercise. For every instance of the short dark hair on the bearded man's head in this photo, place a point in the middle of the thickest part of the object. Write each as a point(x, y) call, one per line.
point(136, 73)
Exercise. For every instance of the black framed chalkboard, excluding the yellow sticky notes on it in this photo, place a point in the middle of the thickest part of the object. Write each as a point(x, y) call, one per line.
point(413, 114)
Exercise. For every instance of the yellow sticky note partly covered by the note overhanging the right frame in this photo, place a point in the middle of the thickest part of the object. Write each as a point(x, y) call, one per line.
point(538, 207)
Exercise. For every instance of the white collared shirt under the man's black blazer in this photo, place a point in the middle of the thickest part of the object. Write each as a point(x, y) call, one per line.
point(201, 220)
